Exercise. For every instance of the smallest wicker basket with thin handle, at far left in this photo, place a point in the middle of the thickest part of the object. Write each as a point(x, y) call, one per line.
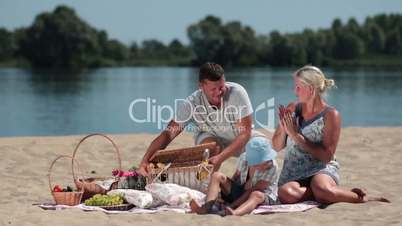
point(64, 198)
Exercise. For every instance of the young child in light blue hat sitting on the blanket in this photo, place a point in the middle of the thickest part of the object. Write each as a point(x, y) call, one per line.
point(254, 183)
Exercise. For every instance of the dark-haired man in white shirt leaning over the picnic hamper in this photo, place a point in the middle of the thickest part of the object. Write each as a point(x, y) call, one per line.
point(218, 112)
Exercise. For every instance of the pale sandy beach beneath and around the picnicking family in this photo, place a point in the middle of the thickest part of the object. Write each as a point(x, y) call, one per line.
point(370, 158)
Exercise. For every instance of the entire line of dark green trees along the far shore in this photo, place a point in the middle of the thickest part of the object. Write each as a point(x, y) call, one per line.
point(61, 39)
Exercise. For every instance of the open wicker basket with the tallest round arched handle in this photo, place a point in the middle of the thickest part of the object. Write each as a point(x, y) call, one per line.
point(89, 184)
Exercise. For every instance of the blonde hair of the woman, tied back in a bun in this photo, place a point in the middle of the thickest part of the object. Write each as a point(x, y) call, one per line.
point(313, 76)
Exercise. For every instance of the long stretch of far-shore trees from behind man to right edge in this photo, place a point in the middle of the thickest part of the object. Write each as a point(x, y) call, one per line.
point(234, 44)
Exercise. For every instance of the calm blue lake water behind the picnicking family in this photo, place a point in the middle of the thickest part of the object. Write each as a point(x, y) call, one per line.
point(54, 103)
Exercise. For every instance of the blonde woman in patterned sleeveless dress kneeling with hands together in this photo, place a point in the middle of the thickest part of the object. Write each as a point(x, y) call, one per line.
point(310, 129)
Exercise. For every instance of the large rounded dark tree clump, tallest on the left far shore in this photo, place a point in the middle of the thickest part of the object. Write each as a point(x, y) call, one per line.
point(60, 40)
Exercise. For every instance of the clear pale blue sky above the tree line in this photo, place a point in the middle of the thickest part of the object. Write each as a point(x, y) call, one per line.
point(165, 20)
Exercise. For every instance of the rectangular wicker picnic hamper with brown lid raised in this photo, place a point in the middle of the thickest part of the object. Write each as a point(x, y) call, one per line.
point(184, 166)
